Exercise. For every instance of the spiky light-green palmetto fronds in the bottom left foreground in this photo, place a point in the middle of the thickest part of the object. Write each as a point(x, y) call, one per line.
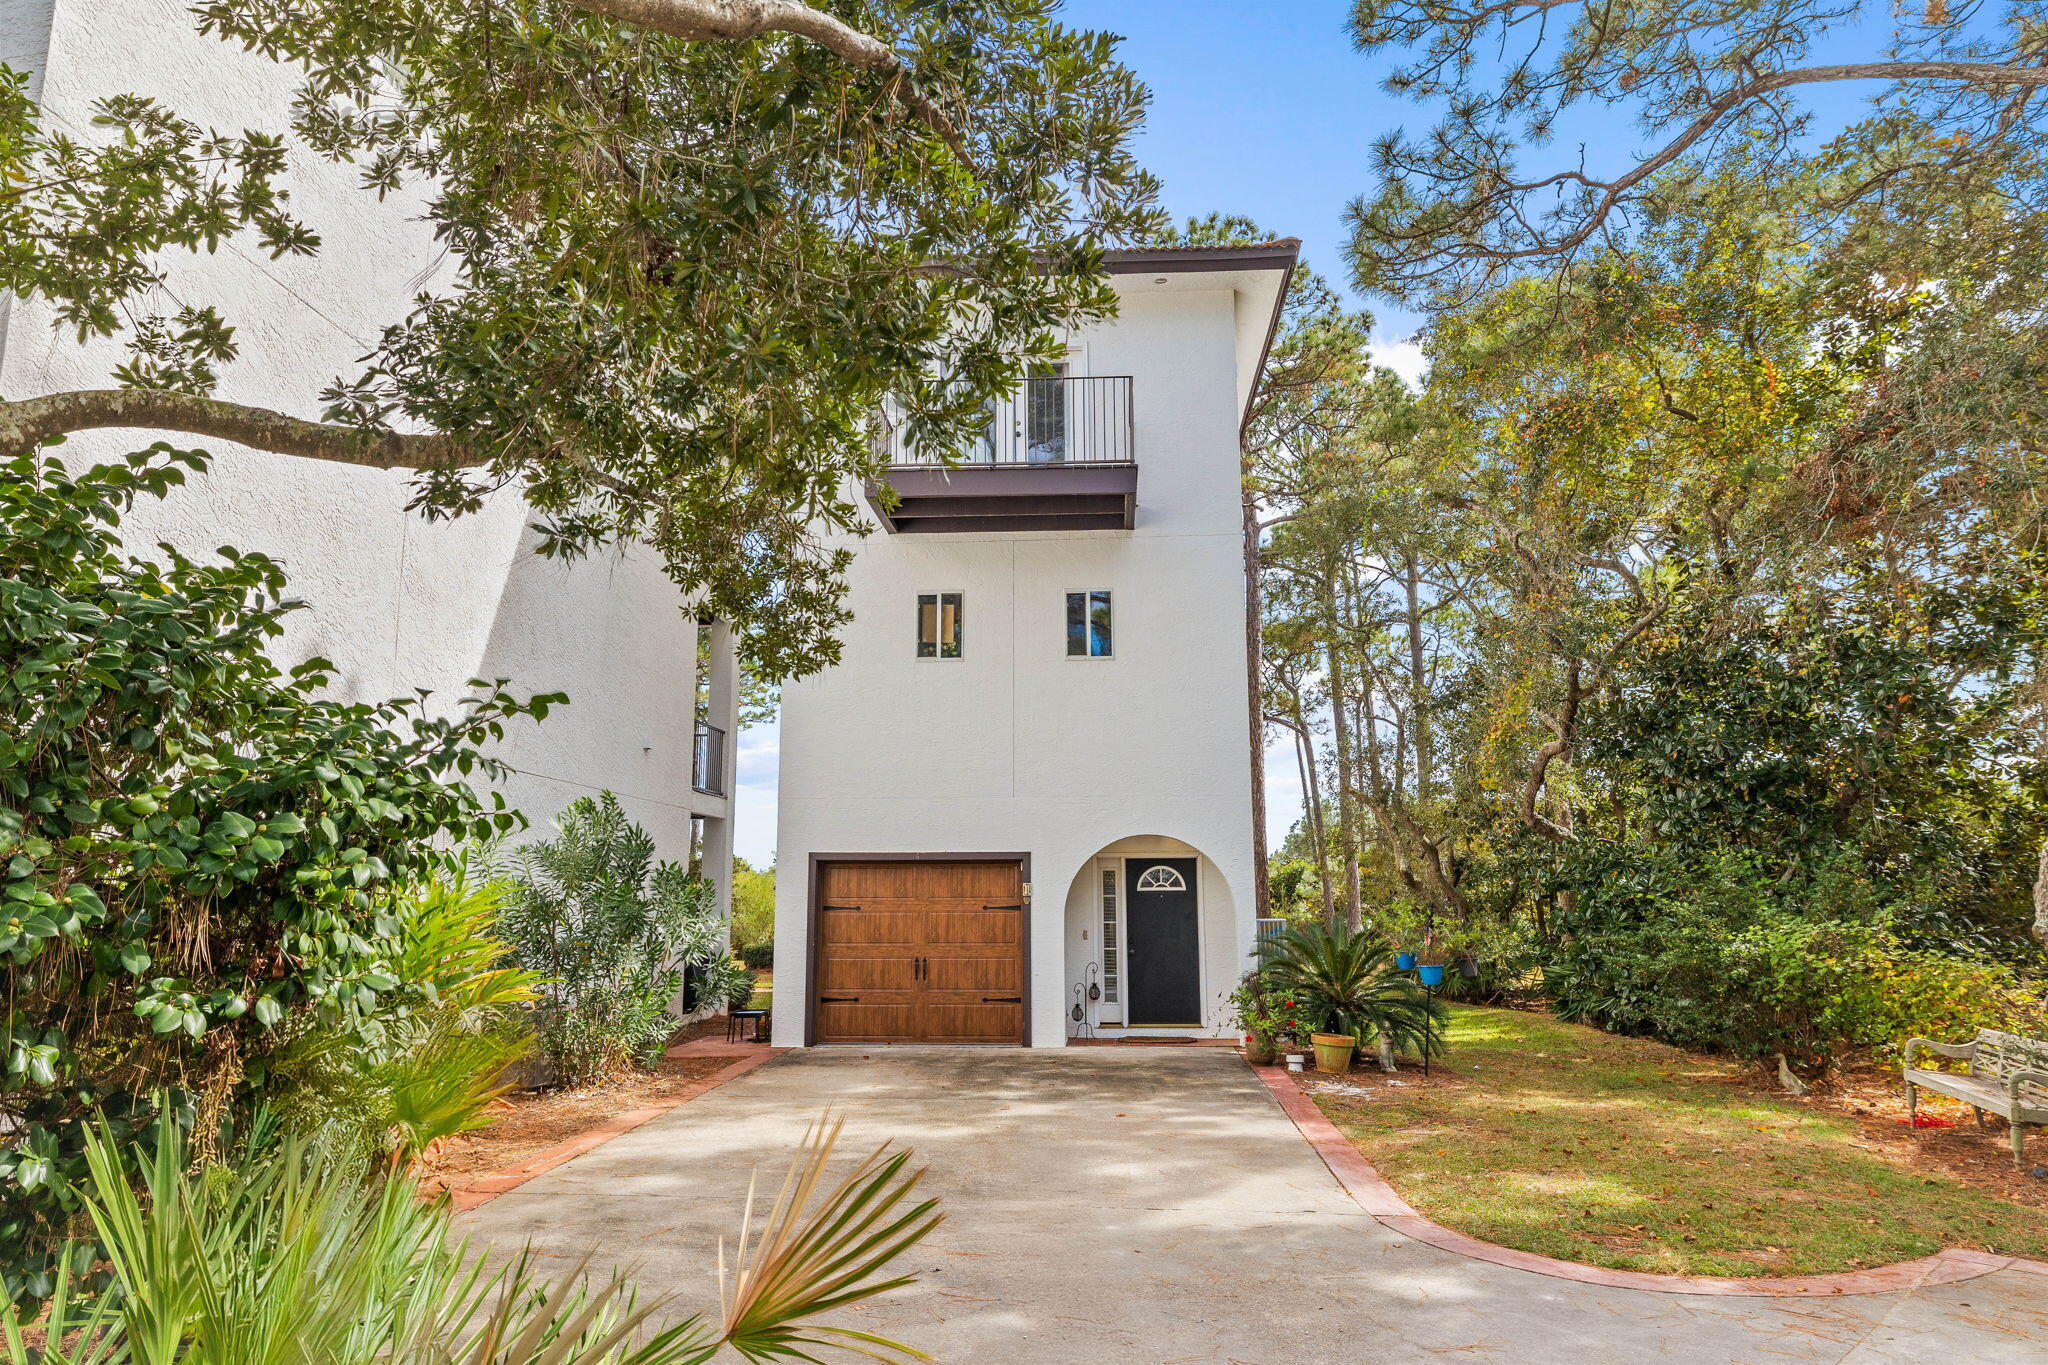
point(286, 1260)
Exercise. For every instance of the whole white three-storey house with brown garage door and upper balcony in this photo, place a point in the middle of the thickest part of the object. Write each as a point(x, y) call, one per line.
point(1021, 807)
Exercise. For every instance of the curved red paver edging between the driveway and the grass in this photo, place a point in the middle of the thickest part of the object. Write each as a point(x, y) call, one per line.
point(1390, 1208)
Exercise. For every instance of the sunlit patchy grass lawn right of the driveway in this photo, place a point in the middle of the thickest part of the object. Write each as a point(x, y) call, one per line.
point(1625, 1153)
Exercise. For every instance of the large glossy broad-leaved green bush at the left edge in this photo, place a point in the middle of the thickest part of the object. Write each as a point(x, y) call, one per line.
point(200, 852)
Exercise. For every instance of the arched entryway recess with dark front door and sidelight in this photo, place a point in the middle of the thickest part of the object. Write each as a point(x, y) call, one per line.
point(1150, 940)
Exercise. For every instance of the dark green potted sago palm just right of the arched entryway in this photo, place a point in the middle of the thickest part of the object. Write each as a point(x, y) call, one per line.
point(1347, 983)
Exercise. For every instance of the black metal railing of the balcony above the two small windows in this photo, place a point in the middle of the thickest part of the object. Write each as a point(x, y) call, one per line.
point(1050, 423)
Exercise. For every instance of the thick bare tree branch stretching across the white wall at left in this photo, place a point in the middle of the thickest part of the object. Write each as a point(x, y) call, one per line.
point(30, 423)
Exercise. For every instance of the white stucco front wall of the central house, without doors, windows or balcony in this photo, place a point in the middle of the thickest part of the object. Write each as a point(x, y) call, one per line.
point(1021, 748)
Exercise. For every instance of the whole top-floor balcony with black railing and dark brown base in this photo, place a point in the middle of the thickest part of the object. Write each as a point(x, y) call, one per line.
point(1056, 457)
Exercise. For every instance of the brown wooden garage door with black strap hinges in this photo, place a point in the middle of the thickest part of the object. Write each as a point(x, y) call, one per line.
point(921, 953)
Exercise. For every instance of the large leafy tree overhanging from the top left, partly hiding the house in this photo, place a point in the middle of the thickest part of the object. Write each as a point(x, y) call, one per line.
point(697, 245)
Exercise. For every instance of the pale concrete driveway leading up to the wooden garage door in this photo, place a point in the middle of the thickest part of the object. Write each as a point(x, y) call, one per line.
point(1113, 1206)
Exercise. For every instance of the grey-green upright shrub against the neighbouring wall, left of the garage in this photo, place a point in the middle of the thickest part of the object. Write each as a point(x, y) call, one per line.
point(609, 932)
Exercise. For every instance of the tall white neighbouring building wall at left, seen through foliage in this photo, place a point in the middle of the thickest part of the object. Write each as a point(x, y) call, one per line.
point(396, 603)
